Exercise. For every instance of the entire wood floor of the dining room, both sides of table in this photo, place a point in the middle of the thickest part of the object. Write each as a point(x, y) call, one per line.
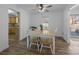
point(61, 48)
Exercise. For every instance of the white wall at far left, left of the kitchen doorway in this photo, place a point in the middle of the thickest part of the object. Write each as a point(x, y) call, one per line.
point(3, 27)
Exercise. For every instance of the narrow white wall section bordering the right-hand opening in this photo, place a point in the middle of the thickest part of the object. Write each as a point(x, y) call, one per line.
point(66, 28)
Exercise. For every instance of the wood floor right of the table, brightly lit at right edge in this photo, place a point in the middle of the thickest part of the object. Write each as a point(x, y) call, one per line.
point(62, 48)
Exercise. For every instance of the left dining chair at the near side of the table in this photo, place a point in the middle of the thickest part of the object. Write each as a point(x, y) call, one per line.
point(34, 40)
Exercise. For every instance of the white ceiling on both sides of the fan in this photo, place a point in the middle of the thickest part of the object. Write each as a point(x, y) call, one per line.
point(32, 7)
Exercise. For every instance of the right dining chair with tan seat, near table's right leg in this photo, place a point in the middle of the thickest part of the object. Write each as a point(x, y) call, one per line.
point(46, 42)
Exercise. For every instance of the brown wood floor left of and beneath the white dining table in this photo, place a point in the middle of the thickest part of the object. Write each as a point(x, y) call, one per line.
point(19, 48)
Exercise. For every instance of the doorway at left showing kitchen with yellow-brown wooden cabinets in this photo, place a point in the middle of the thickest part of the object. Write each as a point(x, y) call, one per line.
point(13, 26)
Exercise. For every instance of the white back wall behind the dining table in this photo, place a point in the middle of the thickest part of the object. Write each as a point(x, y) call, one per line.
point(54, 20)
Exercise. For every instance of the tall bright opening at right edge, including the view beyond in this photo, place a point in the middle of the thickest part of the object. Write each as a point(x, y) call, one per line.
point(74, 27)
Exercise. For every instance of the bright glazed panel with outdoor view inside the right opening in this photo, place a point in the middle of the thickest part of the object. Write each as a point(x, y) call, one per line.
point(74, 25)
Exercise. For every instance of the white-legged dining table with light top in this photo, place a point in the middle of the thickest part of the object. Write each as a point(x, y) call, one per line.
point(41, 34)
